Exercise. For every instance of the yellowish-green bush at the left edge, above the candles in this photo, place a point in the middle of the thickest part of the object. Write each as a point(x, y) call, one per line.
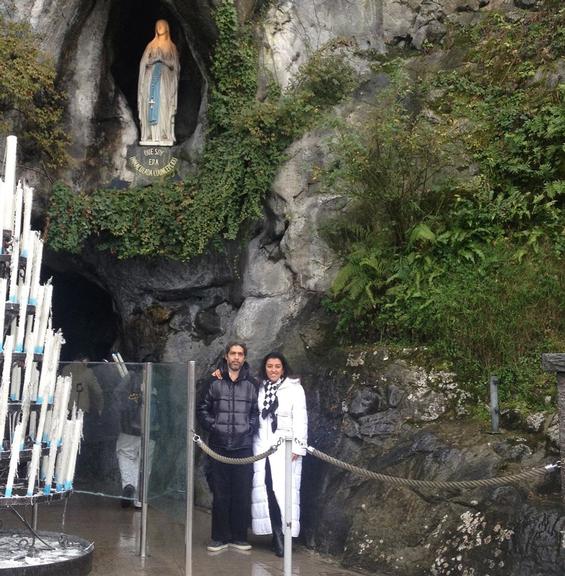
point(30, 103)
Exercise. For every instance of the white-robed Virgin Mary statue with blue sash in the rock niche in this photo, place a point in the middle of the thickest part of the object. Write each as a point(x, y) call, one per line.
point(157, 88)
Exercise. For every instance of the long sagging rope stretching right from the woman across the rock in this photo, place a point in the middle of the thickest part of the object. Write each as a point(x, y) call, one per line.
point(411, 483)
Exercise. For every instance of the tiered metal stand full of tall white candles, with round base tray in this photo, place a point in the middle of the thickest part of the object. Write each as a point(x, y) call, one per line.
point(34, 424)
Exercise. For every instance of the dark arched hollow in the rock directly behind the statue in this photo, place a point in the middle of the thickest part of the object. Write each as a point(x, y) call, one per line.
point(131, 27)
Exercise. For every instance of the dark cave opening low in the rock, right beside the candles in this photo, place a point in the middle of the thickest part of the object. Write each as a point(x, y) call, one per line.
point(84, 312)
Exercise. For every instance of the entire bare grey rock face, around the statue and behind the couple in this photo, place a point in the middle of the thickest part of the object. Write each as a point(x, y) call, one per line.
point(365, 409)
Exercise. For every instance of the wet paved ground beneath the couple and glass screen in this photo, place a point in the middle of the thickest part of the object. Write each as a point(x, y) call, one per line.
point(115, 532)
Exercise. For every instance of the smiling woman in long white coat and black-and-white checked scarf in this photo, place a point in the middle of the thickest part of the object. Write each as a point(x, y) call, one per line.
point(278, 394)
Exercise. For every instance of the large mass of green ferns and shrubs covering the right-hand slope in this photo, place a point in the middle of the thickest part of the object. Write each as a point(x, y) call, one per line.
point(454, 237)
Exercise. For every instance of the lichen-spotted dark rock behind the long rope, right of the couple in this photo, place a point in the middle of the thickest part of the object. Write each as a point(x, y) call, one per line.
point(364, 412)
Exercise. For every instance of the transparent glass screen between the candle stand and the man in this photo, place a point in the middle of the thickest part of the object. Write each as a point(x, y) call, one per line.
point(111, 451)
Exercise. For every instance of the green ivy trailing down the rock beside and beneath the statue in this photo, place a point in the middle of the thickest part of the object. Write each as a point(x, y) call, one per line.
point(245, 147)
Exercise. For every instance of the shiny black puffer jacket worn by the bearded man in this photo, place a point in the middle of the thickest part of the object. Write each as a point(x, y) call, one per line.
point(229, 411)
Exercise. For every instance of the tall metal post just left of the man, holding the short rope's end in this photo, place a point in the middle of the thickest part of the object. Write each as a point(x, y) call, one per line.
point(190, 418)
